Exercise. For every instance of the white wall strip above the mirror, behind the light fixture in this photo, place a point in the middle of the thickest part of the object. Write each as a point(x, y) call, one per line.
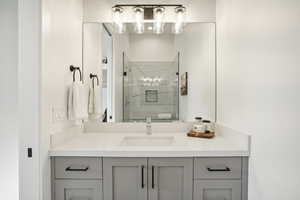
point(198, 11)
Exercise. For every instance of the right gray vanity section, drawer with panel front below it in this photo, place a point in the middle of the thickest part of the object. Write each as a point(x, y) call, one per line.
point(223, 178)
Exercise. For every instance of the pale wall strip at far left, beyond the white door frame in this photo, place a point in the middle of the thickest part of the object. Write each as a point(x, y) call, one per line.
point(9, 172)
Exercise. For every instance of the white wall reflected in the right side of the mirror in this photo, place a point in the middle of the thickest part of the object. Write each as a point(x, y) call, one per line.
point(197, 57)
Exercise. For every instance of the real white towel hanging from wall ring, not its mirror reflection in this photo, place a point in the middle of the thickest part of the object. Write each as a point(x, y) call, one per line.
point(77, 103)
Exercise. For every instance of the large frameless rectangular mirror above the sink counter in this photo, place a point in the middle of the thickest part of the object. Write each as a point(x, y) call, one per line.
point(165, 77)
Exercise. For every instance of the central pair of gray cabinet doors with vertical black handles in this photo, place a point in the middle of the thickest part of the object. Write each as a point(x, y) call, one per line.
point(148, 179)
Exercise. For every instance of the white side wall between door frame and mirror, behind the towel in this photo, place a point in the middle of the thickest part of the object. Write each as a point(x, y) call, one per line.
point(62, 47)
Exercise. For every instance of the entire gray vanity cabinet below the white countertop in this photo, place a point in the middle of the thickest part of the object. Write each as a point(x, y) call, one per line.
point(199, 178)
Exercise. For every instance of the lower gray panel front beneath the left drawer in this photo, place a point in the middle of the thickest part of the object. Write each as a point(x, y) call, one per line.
point(78, 190)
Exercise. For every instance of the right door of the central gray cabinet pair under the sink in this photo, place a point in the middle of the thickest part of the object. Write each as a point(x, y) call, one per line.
point(170, 178)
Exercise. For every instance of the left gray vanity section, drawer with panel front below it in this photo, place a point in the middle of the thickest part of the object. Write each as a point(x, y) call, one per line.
point(77, 178)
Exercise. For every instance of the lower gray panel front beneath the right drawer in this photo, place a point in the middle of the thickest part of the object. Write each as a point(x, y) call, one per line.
point(217, 190)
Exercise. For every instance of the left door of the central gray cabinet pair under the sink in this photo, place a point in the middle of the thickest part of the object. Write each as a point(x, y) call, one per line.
point(125, 178)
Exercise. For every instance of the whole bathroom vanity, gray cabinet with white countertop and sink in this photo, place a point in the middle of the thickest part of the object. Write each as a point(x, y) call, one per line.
point(161, 166)
